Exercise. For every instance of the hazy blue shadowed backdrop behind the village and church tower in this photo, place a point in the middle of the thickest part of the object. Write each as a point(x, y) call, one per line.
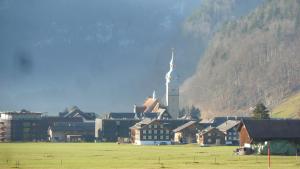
point(99, 55)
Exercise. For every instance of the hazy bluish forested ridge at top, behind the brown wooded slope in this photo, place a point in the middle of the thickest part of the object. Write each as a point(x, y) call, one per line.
point(205, 21)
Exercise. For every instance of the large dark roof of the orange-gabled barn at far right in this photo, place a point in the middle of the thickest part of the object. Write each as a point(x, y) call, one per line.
point(272, 129)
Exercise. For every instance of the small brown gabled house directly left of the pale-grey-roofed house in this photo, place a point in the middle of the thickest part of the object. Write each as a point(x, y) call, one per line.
point(211, 136)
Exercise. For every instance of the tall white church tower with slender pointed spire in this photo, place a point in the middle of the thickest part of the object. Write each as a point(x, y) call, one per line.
point(172, 89)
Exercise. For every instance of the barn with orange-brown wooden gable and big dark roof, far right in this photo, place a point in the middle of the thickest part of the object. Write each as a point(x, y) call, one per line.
point(283, 135)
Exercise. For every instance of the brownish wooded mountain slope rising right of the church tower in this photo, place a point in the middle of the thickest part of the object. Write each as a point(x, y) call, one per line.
point(249, 60)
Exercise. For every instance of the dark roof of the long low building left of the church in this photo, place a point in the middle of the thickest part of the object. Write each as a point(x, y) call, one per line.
point(72, 126)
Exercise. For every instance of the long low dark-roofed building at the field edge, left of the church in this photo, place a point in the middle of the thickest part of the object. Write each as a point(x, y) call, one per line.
point(71, 132)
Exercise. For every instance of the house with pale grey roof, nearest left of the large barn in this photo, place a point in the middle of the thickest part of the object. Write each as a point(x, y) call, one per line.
point(230, 129)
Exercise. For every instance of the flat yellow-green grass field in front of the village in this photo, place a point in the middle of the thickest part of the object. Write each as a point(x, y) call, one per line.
point(109, 155)
